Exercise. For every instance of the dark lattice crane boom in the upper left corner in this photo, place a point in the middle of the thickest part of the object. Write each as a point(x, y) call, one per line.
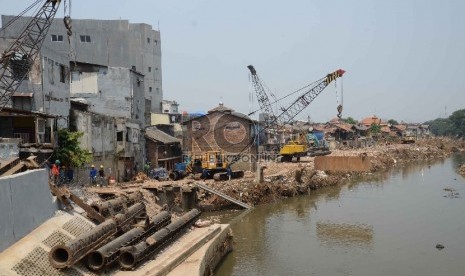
point(16, 61)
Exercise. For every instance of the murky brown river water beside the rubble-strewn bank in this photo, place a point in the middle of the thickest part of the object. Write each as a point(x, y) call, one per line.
point(388, 225)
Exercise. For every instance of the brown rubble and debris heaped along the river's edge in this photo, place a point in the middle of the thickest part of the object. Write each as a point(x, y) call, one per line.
point(290, 179)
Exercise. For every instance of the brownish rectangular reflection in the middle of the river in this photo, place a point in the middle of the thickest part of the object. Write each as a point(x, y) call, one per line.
point(345, 235)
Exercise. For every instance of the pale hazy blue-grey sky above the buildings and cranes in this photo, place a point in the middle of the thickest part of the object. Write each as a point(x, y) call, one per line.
point(404, 58)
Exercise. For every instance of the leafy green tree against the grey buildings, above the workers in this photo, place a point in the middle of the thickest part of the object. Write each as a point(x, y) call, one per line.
point(69, 151)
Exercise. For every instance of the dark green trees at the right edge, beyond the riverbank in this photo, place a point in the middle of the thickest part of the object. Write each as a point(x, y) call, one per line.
point(454, 125)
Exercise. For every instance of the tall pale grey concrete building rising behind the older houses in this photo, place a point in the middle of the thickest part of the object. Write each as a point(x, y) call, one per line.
point(114, 43)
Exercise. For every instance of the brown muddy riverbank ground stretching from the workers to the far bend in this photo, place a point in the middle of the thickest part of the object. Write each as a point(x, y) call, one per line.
point(283, 180)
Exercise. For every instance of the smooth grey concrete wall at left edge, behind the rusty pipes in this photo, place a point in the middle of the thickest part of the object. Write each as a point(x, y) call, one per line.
point(25, 203)
